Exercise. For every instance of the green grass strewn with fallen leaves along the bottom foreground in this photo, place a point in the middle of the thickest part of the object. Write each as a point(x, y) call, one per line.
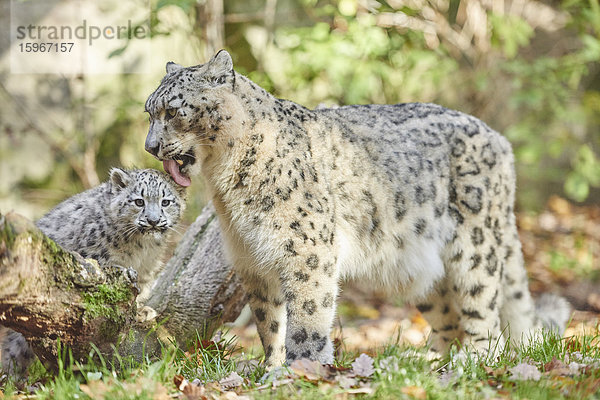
point(400, 372)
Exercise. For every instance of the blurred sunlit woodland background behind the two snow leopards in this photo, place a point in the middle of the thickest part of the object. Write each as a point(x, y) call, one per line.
point(528, 68)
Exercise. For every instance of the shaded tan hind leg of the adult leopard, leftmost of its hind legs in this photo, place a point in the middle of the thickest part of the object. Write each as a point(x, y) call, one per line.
point(438, 309)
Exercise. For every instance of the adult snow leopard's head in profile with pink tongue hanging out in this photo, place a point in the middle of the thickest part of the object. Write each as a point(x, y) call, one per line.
point(187, 111)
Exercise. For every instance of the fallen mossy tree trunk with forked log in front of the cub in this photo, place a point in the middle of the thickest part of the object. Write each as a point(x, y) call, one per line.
point(47, 293)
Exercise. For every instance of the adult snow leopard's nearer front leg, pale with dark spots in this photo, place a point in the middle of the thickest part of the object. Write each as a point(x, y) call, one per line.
point(310, 286)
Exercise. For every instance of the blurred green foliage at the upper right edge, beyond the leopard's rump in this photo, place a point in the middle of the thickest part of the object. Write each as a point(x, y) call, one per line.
point(553, 123)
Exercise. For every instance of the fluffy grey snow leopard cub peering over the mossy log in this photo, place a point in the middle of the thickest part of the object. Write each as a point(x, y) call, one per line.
point(125, 221)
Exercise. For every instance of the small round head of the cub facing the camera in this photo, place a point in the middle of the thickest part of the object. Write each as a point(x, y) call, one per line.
point(147, 200)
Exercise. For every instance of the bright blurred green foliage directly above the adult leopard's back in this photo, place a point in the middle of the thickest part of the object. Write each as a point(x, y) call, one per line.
point(357, 64)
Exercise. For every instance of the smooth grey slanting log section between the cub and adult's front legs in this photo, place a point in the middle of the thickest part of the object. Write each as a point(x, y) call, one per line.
point(197, 287)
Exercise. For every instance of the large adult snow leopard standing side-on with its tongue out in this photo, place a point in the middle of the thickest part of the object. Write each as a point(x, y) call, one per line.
point(413, 197)
